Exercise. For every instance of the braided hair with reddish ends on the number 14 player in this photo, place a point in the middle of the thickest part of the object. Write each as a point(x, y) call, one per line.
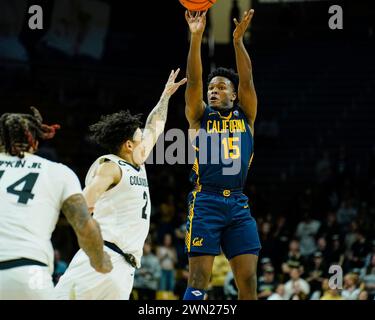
point(19, 132)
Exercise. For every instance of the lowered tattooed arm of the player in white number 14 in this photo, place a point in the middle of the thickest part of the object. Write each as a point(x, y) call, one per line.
point(87, 231)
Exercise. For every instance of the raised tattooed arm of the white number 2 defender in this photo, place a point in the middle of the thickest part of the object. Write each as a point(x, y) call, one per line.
point(156, 120)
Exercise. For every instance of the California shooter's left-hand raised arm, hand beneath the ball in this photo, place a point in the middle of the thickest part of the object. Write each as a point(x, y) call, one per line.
point(194, 90)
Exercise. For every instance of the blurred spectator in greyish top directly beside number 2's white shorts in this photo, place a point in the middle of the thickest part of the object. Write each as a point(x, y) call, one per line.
point(146, 279)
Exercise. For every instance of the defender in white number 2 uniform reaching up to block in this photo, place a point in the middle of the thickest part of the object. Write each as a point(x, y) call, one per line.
point(118, 195)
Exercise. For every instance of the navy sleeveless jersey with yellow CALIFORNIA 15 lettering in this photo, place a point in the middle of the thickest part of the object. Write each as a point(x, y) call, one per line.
point(224, 149)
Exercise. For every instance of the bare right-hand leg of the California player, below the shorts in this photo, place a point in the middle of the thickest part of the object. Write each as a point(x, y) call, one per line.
point(244, 269)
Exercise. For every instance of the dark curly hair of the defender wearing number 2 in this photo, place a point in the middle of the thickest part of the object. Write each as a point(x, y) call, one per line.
point(114, 129)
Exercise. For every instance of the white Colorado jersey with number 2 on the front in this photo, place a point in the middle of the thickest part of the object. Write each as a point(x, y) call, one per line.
point(123, 212)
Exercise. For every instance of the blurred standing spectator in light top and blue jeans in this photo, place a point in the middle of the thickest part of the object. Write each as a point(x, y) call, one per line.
point(168, 258)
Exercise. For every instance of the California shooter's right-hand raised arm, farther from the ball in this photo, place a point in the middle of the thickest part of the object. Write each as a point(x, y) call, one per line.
point(246, 90)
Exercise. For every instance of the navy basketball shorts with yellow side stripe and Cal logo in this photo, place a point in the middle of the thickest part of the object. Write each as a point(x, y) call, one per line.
point(216, 223)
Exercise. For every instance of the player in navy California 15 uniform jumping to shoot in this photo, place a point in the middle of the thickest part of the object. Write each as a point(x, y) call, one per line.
point(219, 215)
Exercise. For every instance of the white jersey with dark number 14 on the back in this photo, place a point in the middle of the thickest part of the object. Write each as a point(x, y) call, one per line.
point(32, 191)
